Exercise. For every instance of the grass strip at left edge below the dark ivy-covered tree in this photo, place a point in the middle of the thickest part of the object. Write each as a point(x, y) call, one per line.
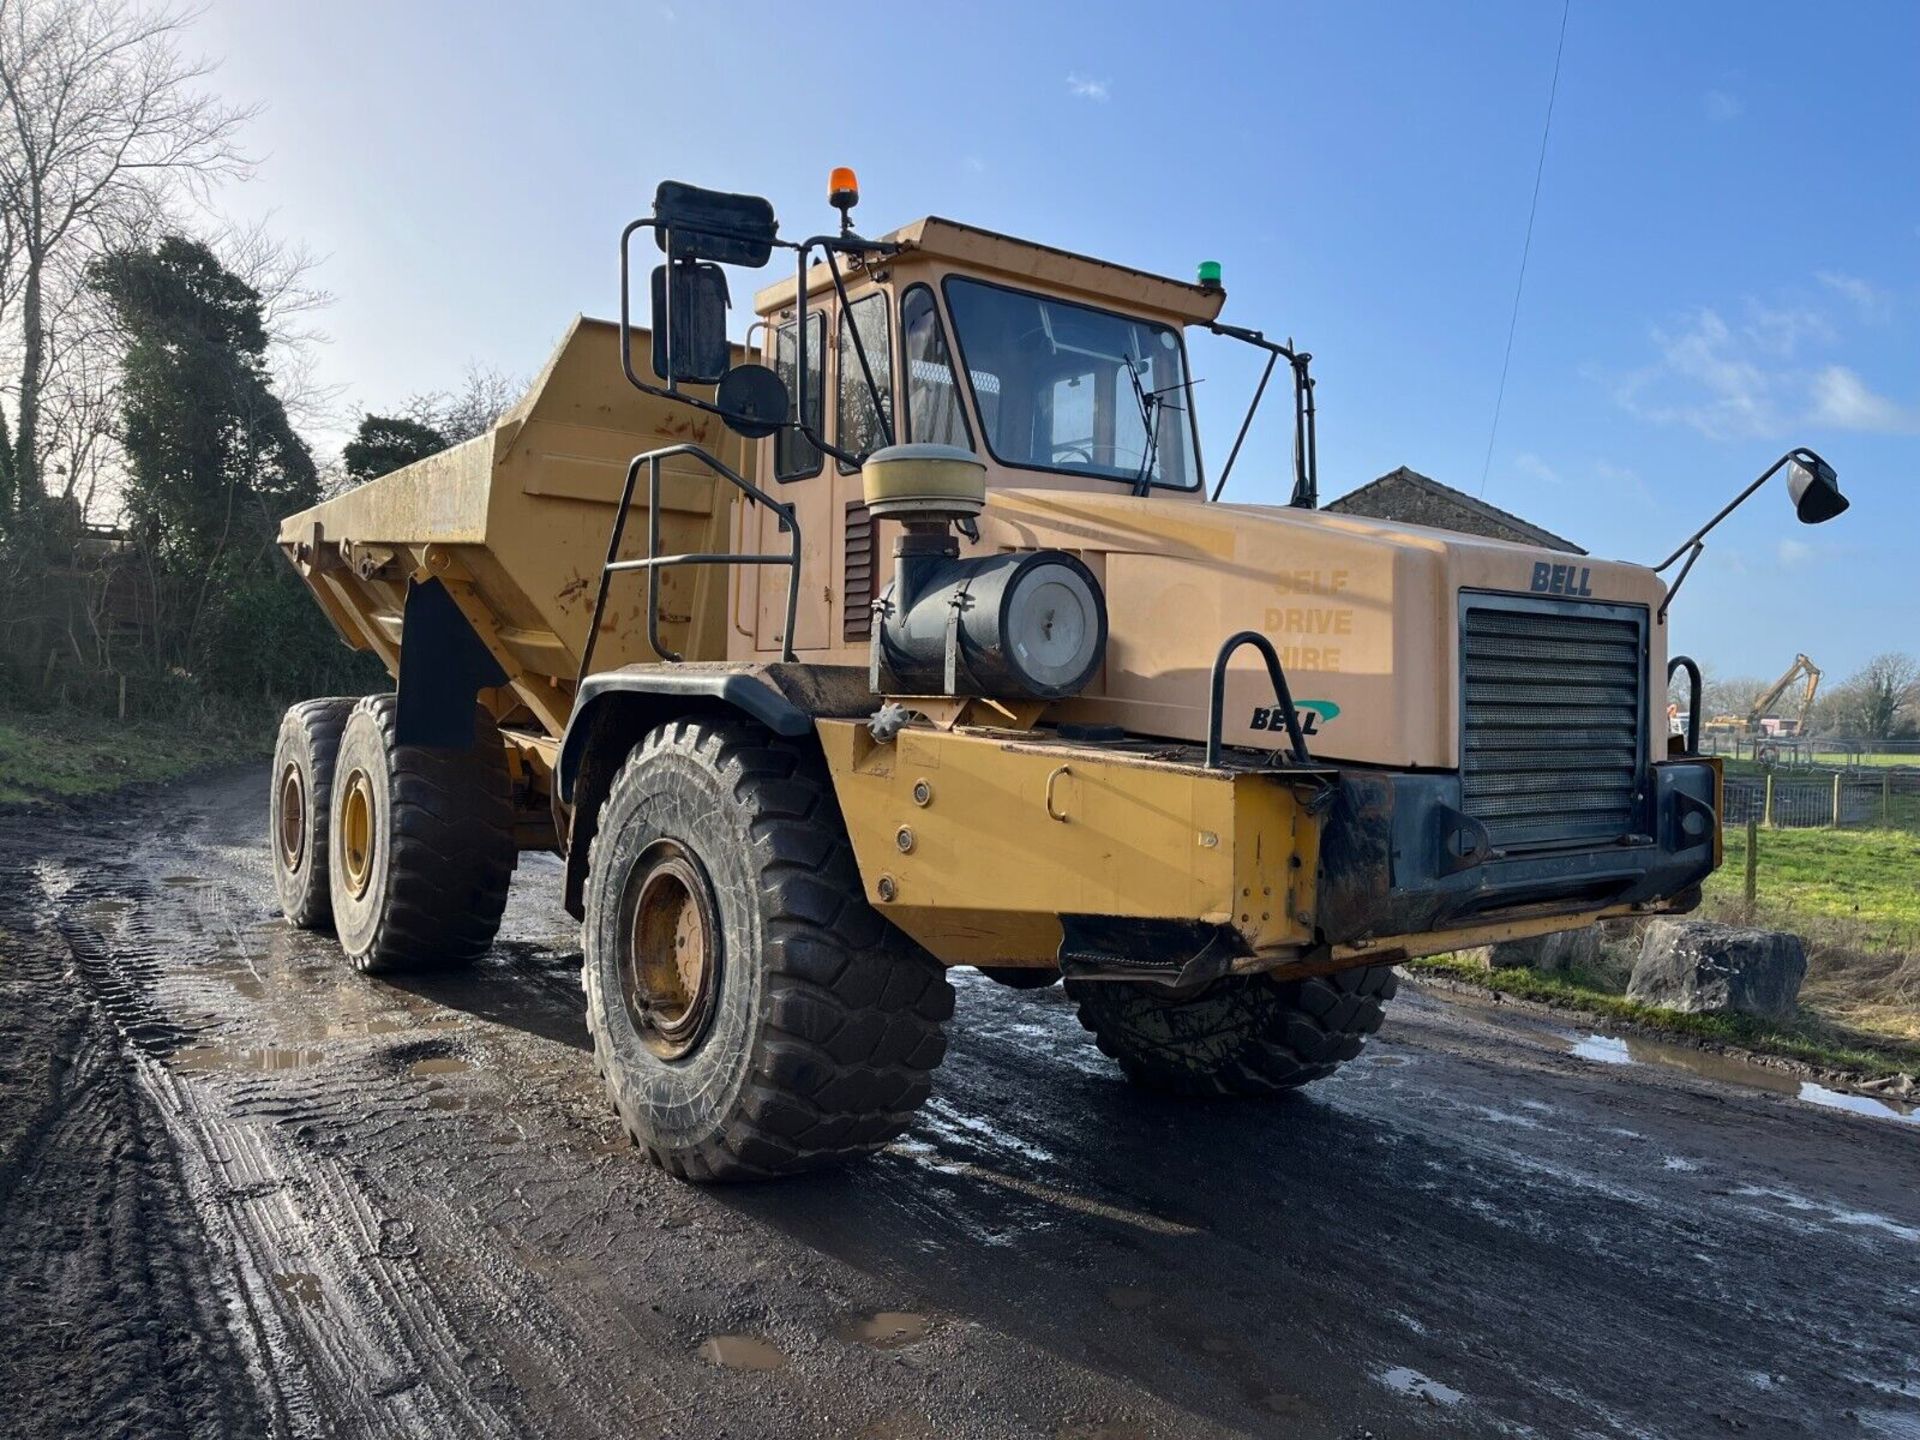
point(64, 756)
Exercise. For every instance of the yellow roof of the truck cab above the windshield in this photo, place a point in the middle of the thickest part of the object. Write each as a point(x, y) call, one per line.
point(1022, 262)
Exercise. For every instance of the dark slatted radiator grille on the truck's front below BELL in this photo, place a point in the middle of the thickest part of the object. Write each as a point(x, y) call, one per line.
point(1552, 719)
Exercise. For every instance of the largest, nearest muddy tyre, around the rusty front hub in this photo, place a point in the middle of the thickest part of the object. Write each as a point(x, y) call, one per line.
point(827, 1020)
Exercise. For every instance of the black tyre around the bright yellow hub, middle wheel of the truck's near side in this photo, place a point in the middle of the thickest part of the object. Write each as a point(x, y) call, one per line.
point(441, 846)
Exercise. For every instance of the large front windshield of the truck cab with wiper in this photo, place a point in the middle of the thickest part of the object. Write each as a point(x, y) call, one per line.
point(1074, 389)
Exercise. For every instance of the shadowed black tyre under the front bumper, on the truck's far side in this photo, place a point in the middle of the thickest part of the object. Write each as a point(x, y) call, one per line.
point(1243, 1036)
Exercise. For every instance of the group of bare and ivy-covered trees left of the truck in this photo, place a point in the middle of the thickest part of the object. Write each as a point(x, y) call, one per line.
point(156, 364)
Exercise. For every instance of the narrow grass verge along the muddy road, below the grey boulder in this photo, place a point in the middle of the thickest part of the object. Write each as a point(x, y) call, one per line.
point(1813, 1040)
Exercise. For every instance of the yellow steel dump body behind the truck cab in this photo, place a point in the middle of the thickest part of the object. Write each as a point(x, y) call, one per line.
point(516, 525)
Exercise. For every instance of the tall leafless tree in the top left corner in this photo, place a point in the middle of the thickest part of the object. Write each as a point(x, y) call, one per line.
point(105, 122)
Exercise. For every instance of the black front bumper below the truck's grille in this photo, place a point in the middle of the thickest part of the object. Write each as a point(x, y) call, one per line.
point(1401, 857)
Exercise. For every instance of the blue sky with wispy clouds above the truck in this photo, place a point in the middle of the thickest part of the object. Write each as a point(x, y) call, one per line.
point(1727, 254)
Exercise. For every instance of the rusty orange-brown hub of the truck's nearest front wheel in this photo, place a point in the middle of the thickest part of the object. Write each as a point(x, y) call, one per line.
point(669, 951)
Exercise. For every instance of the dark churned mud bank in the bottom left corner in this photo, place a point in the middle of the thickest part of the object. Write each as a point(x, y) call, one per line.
point(114, 1318)
